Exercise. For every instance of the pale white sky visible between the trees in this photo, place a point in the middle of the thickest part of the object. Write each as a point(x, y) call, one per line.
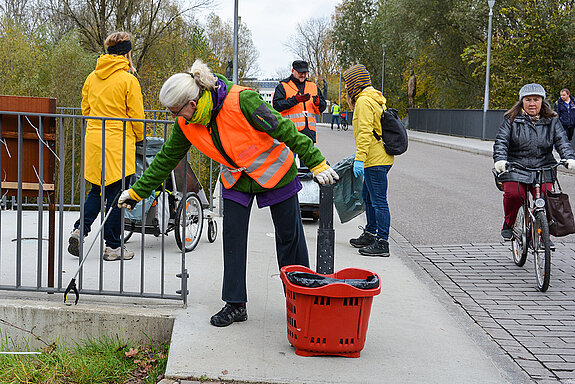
point(272, 23)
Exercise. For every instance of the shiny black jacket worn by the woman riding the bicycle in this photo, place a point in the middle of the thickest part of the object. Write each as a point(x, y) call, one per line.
point(531, 145)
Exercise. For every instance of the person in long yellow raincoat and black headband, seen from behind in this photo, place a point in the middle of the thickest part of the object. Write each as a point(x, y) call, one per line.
point(111, 90)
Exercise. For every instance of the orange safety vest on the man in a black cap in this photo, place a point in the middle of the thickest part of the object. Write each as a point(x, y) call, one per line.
point(304, 115)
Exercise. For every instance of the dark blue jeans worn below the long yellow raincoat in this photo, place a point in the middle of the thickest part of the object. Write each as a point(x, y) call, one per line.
point(113, 226)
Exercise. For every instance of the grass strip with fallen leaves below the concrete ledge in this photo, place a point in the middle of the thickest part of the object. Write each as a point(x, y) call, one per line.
point(101, 360)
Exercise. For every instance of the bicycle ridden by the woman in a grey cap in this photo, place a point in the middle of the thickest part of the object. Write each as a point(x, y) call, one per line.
point(531, 227)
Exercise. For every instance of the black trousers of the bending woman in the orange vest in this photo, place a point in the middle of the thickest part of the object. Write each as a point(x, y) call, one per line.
point(291, 247)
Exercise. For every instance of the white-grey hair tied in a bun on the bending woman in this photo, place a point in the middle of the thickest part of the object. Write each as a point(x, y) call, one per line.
point(183, 87)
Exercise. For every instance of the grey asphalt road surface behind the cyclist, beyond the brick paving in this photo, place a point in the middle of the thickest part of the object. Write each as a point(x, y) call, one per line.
point(438, 195)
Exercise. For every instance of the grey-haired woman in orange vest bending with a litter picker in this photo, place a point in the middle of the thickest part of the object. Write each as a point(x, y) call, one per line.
point(235, 127)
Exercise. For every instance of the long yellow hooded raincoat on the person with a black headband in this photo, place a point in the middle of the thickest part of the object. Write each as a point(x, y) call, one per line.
point(111, 91)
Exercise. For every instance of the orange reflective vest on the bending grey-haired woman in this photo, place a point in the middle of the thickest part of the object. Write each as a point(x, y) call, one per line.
point(263, 158)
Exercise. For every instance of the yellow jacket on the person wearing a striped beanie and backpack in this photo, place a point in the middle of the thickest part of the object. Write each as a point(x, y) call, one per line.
point(366, 118)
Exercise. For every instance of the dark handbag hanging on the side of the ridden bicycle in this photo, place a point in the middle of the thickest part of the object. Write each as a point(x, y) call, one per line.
point(559, 213)
